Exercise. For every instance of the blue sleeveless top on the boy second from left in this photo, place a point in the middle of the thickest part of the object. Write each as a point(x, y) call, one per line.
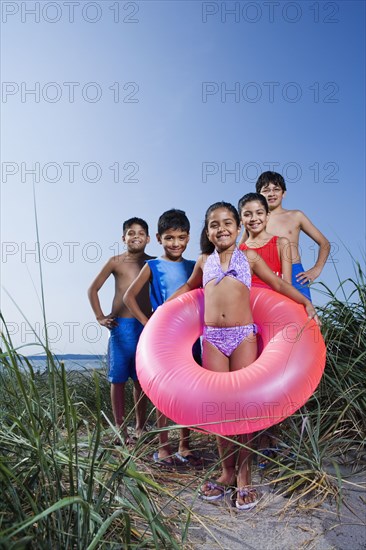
point(167, 277)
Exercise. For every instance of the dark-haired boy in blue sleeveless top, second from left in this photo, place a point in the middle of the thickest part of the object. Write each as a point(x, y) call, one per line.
point(166, 275)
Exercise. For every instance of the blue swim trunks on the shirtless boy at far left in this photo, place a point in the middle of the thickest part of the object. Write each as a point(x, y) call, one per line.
point(122, 345)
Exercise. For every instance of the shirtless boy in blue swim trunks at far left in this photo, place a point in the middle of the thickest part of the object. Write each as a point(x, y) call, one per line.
point(124, 328)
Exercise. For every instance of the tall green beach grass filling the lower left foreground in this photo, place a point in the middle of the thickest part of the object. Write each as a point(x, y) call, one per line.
point(61, 485)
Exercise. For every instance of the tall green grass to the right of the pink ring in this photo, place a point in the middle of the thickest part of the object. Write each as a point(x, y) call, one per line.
point(326, 438)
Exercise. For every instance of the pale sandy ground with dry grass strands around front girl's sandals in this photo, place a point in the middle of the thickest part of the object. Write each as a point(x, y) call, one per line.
point(278, 522)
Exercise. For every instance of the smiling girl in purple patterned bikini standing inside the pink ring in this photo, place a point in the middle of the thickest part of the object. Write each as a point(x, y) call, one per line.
point(229, 337)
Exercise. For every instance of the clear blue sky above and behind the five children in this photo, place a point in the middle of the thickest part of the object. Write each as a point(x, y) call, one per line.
point(138, 107)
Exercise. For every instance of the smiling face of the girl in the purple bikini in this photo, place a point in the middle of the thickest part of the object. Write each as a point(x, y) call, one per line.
point(222, 229)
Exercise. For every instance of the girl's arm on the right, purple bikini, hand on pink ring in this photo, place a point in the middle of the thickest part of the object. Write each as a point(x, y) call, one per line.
point(261, 269)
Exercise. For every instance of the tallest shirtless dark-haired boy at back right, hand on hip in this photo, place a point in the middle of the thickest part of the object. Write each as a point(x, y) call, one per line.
point(289, 223)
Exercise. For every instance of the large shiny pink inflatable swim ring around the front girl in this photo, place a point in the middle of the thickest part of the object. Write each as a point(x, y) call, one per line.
point(277, 384)
